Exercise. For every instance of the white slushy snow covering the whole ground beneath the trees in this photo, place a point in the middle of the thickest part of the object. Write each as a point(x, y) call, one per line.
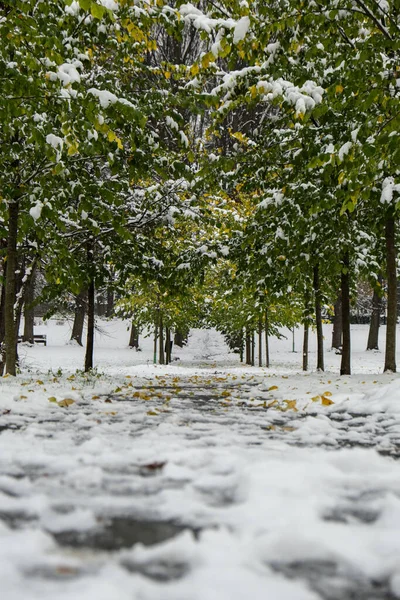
point(201, 480)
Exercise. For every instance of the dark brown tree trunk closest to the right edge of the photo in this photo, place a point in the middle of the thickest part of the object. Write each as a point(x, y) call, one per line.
point(391, 276)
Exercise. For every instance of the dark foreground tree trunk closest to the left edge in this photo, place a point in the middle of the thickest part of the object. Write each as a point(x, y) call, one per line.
point(10, 337)
